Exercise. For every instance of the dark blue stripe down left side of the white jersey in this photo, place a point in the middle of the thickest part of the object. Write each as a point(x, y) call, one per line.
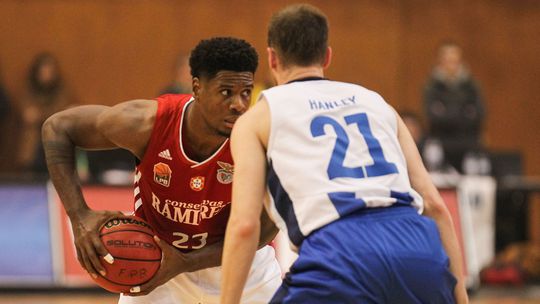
point(284, 206)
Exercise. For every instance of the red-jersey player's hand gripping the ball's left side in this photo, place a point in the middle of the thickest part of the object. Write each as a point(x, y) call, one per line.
point(87, 242)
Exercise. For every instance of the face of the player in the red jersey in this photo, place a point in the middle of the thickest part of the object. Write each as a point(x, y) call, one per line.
point(224, 98)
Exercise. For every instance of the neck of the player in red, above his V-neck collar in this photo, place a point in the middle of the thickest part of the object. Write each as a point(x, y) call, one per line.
point(201, 139)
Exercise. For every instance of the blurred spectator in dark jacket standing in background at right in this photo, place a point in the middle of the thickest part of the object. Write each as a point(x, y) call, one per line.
point(454, 106)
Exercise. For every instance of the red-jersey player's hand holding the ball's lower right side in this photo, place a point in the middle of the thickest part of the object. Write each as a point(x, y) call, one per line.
point(173, 262)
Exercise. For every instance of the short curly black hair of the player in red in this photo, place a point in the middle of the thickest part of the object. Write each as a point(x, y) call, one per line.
point(222, 54)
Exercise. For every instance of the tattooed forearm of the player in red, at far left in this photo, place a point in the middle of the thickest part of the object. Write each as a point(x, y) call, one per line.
point(60, 157)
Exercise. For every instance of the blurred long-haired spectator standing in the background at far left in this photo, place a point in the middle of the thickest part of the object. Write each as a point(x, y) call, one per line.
point(46, 94)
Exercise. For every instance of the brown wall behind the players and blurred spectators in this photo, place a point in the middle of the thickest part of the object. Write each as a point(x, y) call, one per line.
point(117, 50)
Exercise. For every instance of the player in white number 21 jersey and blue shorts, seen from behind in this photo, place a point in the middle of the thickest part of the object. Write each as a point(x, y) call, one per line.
point(346, 184)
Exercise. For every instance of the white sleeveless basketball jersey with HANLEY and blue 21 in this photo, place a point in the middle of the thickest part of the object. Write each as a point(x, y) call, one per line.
point(333, 150)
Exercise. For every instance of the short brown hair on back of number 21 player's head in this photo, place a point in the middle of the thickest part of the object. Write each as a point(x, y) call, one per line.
point(299, 34)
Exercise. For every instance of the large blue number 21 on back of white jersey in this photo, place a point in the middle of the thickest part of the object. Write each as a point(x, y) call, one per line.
point(336, 168)
